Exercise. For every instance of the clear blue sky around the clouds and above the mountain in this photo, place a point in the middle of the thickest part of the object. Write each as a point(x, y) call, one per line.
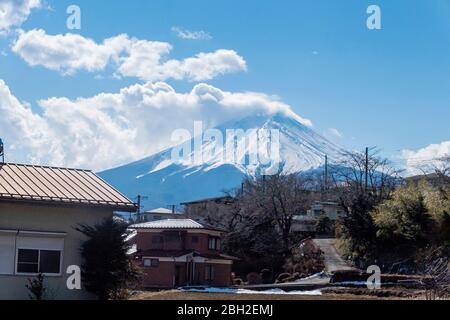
point(388, 88)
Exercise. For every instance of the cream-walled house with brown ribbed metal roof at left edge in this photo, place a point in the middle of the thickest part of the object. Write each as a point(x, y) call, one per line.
point(39, 210)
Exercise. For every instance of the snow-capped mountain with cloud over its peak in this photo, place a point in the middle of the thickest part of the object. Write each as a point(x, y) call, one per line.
point(204, 167)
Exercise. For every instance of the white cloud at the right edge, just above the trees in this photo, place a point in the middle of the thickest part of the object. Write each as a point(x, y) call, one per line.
point(426, 158)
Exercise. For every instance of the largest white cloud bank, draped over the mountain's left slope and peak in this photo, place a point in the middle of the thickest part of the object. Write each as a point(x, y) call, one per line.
point(113, 128)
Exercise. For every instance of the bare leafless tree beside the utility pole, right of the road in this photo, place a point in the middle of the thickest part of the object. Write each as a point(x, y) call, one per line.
point(361, 182)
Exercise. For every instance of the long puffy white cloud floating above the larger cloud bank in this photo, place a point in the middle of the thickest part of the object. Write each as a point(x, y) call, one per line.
point(146, 60)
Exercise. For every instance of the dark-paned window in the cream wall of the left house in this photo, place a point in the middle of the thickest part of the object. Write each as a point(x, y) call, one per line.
point(38, 261)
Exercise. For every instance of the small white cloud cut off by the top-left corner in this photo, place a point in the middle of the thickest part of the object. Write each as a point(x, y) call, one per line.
point(14, 12)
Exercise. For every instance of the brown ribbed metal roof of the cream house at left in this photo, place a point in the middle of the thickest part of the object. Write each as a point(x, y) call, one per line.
point(51, 185)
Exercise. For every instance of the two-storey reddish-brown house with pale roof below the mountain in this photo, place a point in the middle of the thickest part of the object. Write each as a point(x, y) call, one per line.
point(181, 252)
